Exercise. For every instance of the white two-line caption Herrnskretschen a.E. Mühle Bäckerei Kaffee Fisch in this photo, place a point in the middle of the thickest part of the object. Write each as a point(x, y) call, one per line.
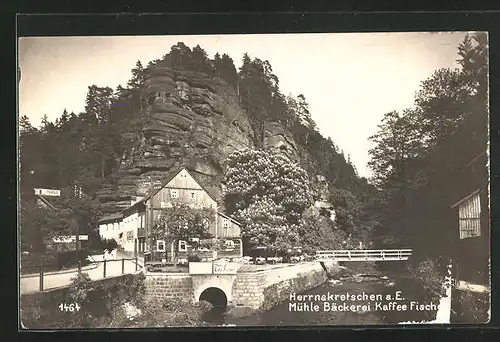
point(355, 302)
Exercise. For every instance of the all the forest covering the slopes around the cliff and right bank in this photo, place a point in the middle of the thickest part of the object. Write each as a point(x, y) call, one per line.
point(88, 149)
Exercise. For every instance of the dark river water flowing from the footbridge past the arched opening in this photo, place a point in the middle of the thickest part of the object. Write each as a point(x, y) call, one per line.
point(386, 288)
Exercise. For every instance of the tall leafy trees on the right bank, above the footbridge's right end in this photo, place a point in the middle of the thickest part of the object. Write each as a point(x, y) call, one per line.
point(416, 150)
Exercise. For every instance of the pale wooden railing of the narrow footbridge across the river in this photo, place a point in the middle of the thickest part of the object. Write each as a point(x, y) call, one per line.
point(369, 254)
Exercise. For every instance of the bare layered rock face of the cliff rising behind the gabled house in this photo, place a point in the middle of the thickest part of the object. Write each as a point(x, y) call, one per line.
point(196, 121)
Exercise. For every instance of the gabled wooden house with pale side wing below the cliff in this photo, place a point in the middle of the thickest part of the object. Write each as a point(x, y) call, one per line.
point(132, 228)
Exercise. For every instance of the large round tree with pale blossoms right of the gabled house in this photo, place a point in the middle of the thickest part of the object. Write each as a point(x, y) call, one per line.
point(268, 194)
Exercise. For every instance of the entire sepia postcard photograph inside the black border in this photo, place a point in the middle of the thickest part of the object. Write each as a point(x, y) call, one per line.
point(240, 180)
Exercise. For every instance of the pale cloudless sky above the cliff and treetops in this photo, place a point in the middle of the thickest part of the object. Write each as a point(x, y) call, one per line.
point(350, 80)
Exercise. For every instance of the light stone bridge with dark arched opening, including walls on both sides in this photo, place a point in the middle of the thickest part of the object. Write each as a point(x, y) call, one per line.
point(223, 285)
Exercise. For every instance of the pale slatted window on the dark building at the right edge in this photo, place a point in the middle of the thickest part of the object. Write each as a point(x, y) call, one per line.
point(469, 217)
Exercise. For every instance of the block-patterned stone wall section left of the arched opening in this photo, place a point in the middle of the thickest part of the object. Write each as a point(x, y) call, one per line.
point(168, 285)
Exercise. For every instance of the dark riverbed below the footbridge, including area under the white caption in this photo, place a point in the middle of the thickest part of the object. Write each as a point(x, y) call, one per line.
point(358, 294)
